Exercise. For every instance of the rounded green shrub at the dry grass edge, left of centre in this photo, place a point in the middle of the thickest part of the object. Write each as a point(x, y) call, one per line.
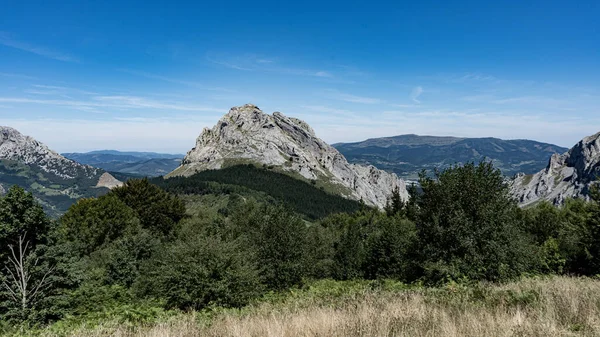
point(196, 272)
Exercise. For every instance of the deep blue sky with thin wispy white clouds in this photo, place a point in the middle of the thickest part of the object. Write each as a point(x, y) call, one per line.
point(142, 76)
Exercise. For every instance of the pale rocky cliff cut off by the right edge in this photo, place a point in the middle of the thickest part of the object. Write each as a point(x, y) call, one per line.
point(567, 175)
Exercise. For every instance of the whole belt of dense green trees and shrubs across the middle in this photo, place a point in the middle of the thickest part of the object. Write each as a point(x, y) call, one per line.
point(141, 250)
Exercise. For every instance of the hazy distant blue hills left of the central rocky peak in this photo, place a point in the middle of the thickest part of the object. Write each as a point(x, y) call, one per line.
point(148, 164)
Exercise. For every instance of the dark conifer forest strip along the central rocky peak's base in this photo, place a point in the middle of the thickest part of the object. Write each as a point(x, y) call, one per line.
point(301, 196)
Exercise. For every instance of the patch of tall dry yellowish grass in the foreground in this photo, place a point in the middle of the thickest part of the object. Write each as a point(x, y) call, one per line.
point(558, 306)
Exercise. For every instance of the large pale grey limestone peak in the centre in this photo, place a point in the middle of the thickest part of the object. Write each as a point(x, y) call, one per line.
point(246, 134)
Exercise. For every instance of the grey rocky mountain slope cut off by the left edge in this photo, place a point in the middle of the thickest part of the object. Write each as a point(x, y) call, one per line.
point(57, 182)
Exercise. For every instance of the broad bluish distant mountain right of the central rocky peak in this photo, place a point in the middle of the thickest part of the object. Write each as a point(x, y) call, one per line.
point(407, 155)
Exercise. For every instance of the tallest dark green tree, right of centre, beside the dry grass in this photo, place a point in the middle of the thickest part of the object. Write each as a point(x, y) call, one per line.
point(469, 227)
